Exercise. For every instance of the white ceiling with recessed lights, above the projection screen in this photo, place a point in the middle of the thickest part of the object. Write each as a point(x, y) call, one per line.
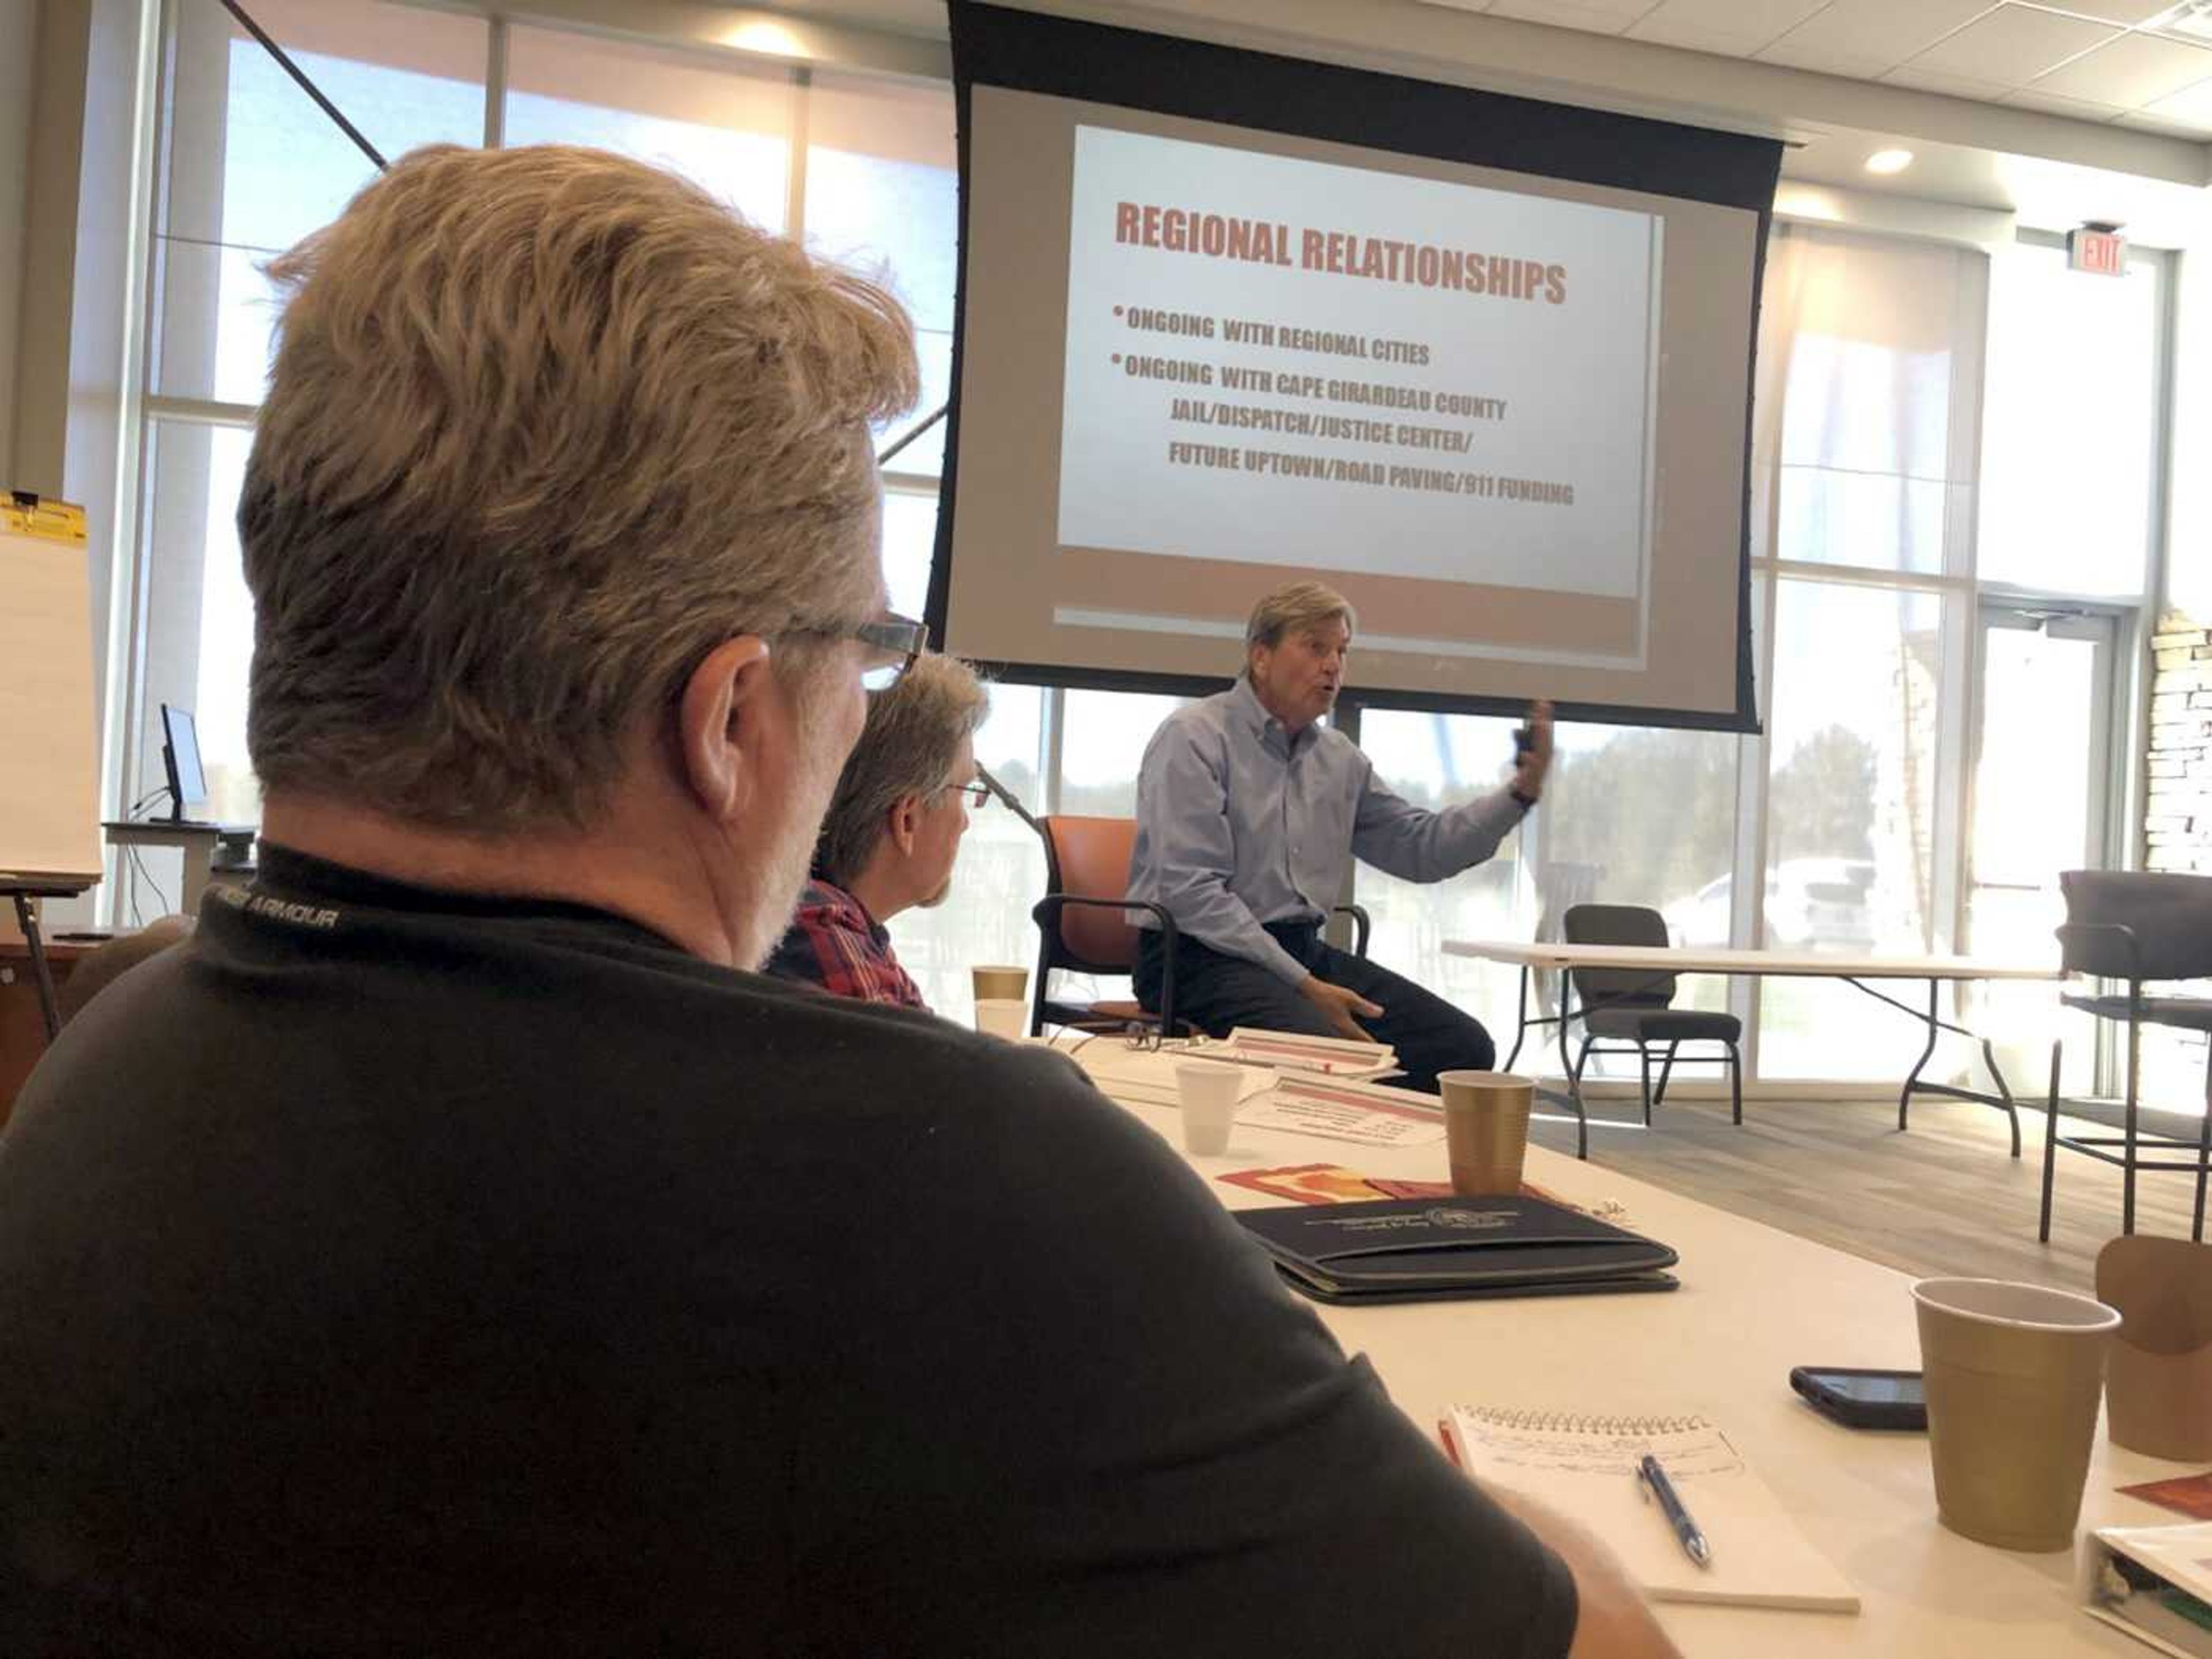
point(1837, 81)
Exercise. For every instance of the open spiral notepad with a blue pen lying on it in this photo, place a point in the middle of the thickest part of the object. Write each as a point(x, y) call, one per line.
point(1585, 1465)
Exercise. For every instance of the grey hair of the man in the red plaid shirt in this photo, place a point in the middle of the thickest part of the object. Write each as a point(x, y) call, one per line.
point(912, 738)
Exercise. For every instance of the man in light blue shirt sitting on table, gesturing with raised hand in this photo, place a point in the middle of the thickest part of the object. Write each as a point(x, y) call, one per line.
point(1249, 820)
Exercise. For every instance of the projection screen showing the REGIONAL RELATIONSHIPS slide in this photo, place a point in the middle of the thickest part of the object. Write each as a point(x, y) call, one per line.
point(1488, 371)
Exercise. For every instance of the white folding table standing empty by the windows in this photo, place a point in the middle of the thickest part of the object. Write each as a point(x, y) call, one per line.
point(1775, 966)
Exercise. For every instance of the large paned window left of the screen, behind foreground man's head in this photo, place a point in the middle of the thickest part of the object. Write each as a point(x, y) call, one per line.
point(251, 165)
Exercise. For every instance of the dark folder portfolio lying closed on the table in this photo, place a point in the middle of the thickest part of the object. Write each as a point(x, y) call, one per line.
point(1437, 1249)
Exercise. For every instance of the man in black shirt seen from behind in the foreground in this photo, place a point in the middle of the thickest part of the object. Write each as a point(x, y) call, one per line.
point(470, 1253)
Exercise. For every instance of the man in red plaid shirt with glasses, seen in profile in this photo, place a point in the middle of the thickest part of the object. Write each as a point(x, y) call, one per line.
point(893, 835)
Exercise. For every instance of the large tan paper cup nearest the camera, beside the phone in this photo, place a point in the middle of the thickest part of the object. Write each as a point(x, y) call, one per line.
point(2014, 1375)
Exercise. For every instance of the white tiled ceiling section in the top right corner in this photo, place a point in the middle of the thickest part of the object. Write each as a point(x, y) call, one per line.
point(2094, 61)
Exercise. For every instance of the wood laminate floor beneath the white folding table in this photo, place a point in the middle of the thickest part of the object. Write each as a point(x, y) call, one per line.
point(1941, 1198)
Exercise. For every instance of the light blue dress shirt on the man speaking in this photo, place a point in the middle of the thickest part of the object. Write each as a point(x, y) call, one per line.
point(1242, 824)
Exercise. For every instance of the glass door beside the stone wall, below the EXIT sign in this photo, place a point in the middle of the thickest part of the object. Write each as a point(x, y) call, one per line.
point(2043, 789)
